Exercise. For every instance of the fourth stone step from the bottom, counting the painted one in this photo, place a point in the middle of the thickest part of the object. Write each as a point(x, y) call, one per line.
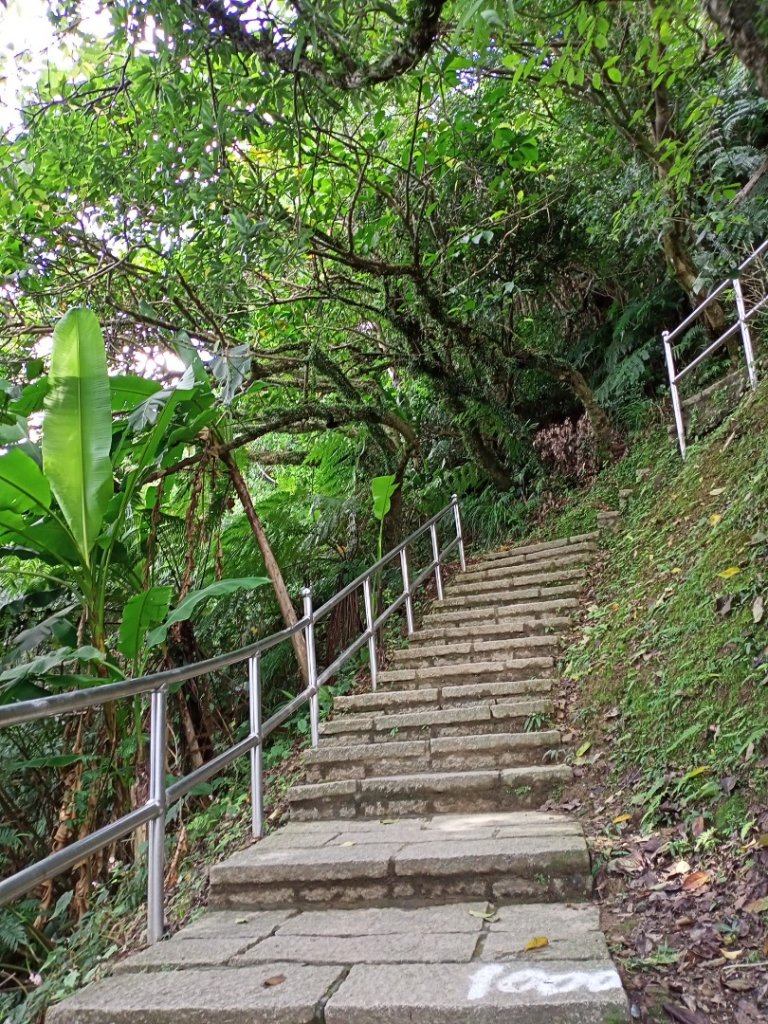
point(511, 750)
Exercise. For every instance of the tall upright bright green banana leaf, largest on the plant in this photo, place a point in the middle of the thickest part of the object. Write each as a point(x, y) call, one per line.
point(77, 430)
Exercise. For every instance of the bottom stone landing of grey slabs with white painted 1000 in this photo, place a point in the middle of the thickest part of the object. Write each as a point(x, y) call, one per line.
point(452, 962)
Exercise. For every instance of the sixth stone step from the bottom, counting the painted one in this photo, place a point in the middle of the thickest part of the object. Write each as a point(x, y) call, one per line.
point(444, 697)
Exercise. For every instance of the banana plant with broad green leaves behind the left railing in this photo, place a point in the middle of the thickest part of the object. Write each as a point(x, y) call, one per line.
point(66, 509)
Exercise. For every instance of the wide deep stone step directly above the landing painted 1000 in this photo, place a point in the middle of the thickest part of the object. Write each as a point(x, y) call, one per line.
point(516, 858)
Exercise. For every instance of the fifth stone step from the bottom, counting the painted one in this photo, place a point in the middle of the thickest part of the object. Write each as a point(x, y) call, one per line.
point(477, 720)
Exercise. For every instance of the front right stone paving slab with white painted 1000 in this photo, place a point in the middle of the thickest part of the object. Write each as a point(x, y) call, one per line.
point(558, 993)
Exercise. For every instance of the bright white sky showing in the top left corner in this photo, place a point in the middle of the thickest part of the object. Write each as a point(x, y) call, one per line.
point(27, 42)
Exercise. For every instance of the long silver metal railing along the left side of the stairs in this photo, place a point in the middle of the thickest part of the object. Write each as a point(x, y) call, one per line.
point(153, 813)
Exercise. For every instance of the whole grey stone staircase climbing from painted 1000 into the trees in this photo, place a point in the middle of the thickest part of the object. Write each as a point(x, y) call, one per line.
point(415, 881)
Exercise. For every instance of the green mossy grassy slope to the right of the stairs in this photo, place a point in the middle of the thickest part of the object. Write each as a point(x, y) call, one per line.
point(671, 639)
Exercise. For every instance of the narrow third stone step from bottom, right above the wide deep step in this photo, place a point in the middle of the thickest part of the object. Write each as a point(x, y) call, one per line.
point(435, 793)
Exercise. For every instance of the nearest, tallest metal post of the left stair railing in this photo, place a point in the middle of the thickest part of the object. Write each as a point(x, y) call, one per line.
point(156, 845)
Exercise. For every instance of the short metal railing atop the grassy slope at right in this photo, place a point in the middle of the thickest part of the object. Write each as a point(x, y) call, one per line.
point(743, 318)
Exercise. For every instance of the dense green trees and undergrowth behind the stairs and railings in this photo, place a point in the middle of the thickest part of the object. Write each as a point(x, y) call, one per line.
point(338, 251)
